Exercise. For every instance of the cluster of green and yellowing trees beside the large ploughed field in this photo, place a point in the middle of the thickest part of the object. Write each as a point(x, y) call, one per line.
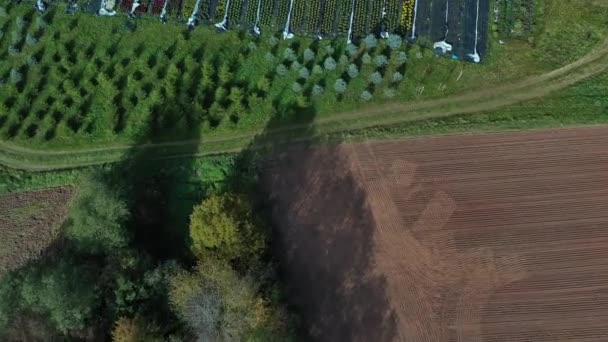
point(101, 281)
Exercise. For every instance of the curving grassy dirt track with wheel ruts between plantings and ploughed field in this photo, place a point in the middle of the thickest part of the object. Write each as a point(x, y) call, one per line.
point(472, 102)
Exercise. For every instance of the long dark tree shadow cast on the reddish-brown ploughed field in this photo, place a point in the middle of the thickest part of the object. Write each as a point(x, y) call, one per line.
point(322, 233)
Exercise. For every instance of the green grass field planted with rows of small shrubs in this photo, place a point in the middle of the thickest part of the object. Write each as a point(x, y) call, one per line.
point(221, 90)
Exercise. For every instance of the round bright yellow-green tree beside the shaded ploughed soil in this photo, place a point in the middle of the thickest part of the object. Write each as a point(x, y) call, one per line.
point(223, 227)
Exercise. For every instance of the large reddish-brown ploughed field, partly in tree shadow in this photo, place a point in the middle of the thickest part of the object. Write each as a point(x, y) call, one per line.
point(494, 237)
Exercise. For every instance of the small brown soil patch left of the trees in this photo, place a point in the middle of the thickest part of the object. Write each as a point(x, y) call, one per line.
point(29, 224)
